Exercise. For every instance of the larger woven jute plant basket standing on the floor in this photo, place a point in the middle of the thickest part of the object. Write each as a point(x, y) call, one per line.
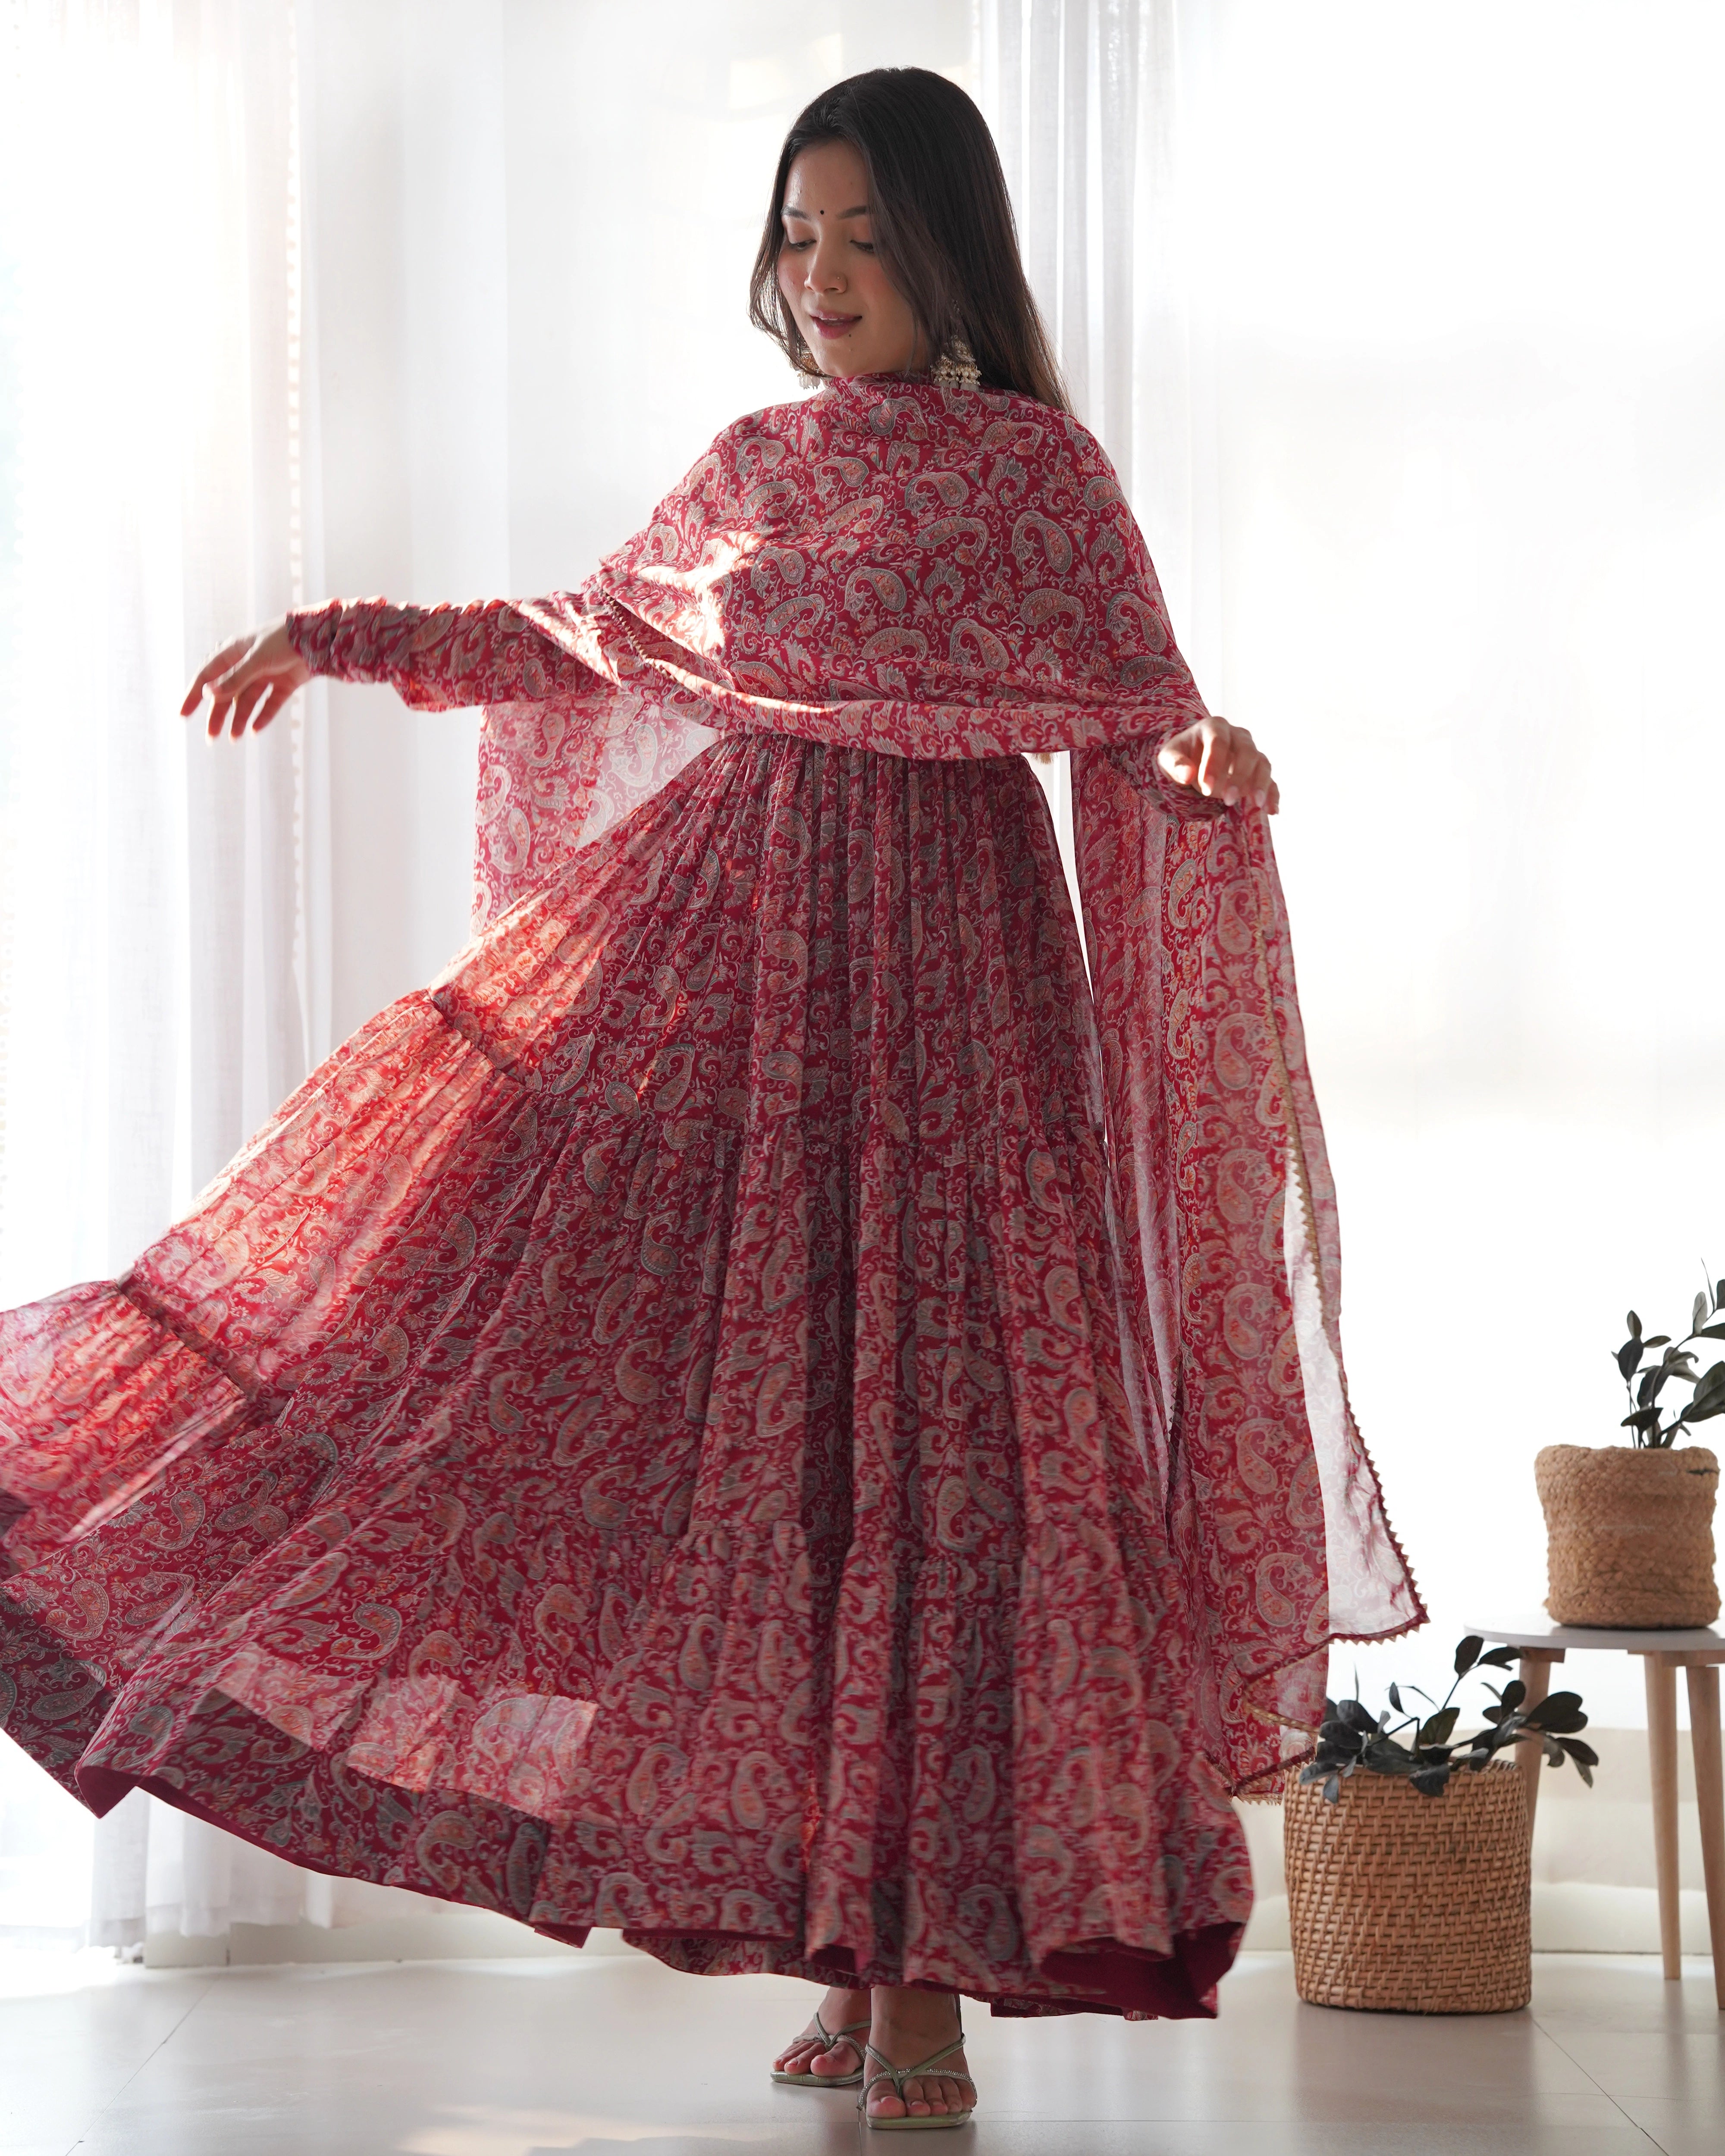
point(1411, 1905)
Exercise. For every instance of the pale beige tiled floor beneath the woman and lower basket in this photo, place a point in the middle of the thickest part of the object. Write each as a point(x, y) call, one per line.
point(618, 2054)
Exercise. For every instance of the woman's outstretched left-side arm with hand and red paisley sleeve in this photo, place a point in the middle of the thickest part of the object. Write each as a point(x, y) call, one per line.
point(434, 657)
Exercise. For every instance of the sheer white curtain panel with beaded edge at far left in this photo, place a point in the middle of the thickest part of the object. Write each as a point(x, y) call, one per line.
point(163, 911)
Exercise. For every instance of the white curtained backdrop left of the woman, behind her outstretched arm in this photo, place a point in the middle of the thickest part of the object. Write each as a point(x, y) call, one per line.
point(296, 301)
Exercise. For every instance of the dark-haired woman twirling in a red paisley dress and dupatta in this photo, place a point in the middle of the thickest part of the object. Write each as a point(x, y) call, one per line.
point(760, 1409)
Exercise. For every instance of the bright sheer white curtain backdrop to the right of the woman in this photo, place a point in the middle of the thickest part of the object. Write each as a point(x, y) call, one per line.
point(1403, 331)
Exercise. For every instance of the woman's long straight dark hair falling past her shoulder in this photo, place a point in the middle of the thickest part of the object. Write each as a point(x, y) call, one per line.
point(941, 225)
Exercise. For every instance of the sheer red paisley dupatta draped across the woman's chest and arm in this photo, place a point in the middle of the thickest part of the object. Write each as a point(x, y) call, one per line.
point(956, 575)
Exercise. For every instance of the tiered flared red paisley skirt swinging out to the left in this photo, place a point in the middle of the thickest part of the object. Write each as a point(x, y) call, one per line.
point(644, 1441)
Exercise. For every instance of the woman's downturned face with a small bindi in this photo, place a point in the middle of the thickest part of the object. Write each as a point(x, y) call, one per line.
point(848, 312)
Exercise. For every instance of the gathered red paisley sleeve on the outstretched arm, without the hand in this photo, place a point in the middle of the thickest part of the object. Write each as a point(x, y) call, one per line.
point(439, 657)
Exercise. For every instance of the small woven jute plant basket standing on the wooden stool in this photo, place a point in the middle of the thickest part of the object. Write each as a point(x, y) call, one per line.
point(1629, 1534)
